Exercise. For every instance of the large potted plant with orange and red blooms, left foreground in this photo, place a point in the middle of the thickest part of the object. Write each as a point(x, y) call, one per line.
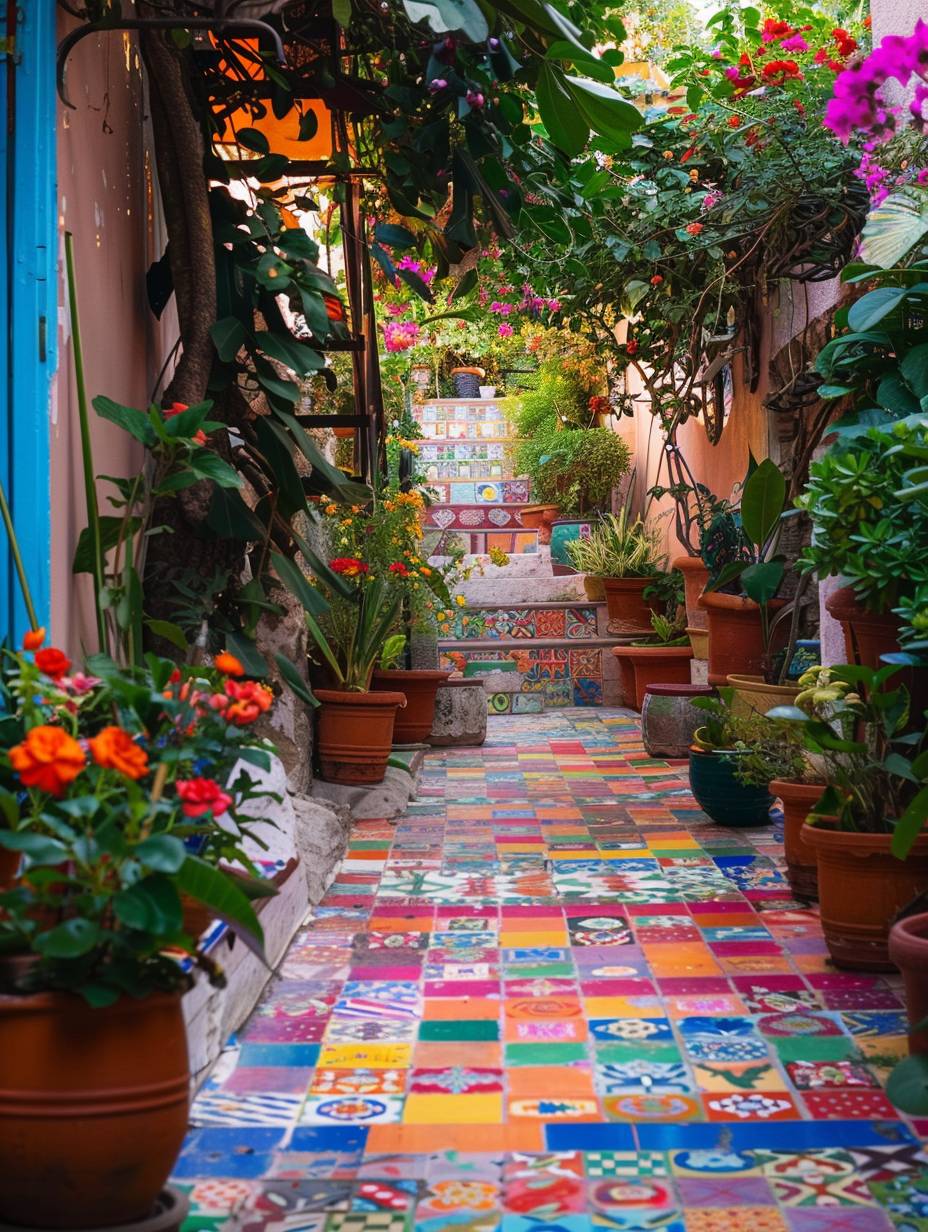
point(108, 778)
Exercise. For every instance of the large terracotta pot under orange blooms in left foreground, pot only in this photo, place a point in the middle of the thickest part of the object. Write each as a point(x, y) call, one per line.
point(93, 1108)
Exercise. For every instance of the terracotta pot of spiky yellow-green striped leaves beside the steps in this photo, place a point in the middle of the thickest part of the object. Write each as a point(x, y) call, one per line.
point(627, 555)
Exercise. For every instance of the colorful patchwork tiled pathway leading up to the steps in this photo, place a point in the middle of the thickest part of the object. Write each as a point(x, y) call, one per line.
point(555, 999)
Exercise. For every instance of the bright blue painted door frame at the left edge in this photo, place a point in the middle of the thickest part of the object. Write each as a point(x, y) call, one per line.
point(29, 307)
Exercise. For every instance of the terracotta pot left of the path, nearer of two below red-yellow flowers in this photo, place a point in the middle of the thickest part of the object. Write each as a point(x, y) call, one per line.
point(356, 735)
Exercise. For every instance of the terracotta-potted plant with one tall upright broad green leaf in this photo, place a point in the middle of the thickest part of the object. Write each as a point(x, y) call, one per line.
point(746, 629)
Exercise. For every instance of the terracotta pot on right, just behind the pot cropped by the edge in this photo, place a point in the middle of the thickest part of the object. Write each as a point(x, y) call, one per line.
point(862, 888)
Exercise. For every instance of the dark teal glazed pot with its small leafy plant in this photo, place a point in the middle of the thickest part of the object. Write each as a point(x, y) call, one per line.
point(734, 760)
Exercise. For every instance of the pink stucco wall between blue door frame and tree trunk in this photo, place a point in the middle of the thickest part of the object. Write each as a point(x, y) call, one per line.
point(109, 203)
